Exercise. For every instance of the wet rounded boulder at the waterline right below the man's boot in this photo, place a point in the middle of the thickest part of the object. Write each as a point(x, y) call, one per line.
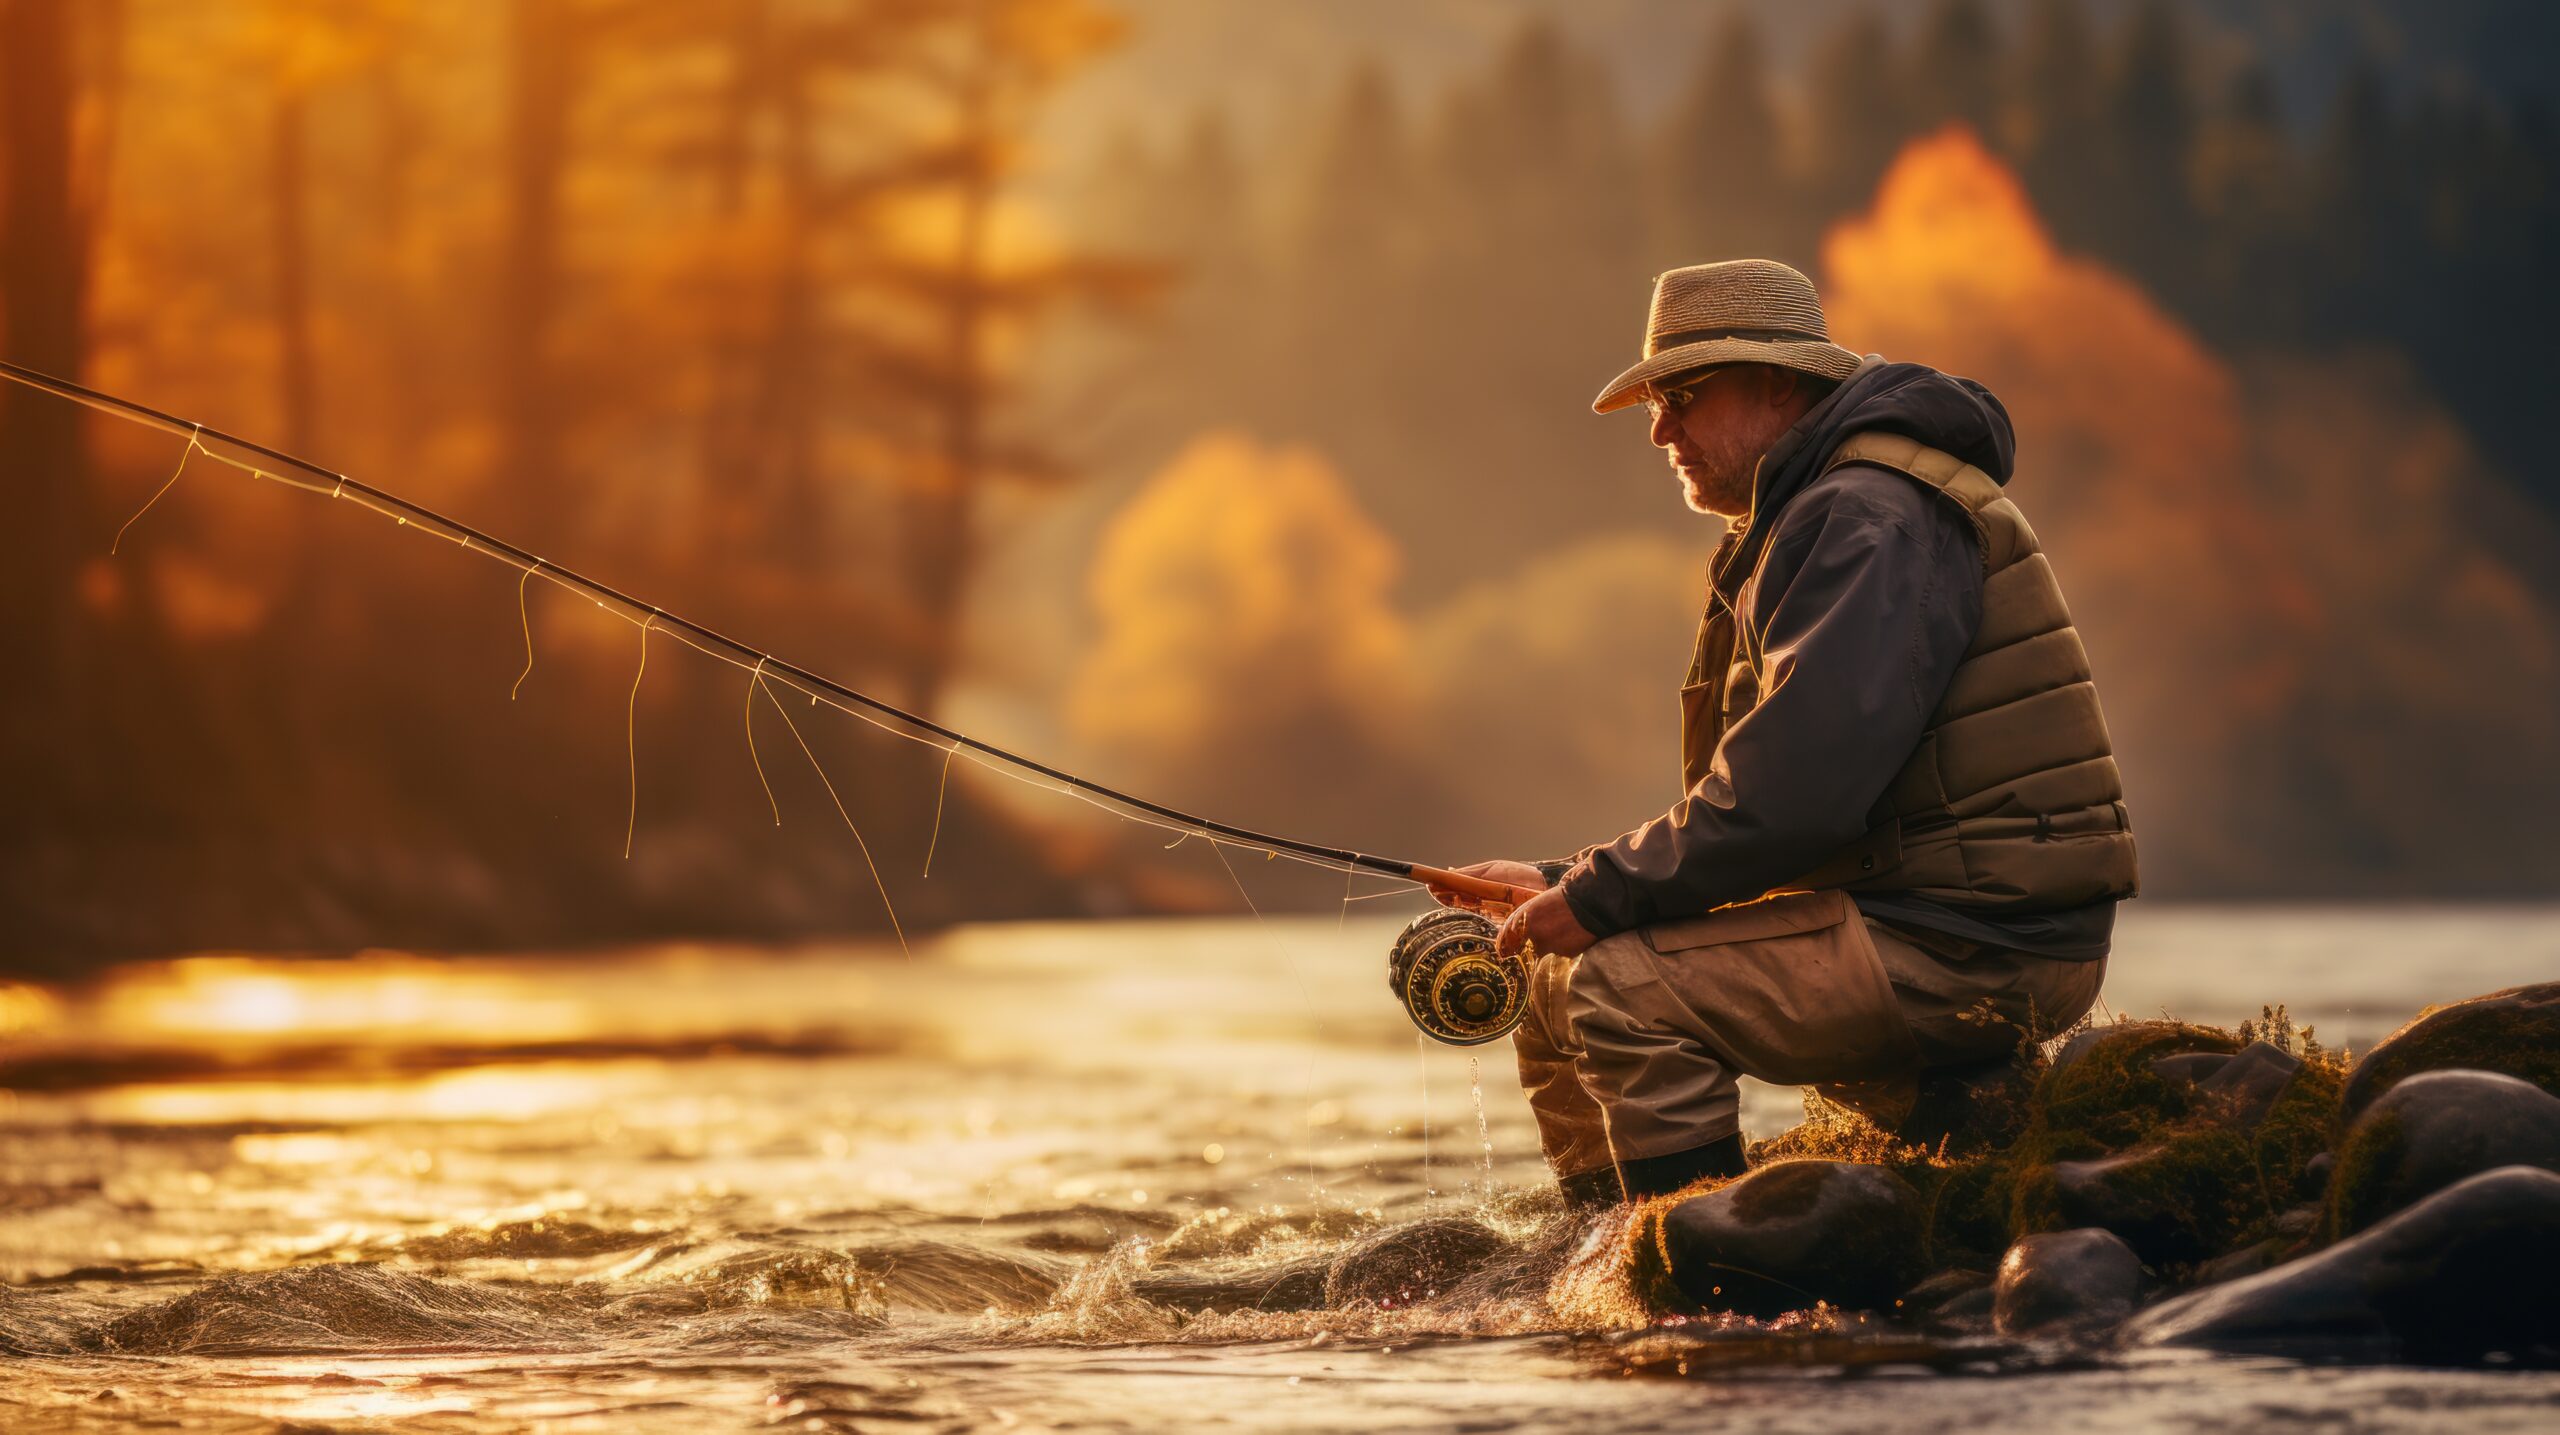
point(1796, 1234)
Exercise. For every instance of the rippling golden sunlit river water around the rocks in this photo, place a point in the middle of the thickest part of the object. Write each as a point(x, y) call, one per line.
point(833, 1188)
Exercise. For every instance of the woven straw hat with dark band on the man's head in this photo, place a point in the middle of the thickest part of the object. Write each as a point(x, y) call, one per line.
point(1742, 311)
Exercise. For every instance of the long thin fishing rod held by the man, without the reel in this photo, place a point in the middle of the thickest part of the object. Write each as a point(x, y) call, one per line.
point(314, 480)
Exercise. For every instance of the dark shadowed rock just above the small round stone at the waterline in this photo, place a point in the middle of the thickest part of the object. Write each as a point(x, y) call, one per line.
point(2172, 1201)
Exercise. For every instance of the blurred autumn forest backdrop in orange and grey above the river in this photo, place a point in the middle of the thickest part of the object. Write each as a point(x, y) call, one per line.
point(1194, 393)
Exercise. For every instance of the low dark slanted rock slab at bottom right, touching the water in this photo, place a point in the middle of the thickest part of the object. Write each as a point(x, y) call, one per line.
point(2459, 1275)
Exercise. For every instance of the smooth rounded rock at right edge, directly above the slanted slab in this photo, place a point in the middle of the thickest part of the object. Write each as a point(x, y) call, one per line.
point(2433, 1129)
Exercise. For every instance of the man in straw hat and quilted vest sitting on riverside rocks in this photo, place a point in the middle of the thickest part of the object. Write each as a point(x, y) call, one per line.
point(1903, 830)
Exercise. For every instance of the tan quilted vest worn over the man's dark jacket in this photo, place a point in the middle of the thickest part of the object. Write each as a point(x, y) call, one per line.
point(2011, 799)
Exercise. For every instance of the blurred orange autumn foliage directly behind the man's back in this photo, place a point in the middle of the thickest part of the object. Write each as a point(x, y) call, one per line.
point(2236, 590)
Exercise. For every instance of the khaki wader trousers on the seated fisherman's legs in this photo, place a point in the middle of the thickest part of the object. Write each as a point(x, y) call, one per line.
point(1635, 1047)
